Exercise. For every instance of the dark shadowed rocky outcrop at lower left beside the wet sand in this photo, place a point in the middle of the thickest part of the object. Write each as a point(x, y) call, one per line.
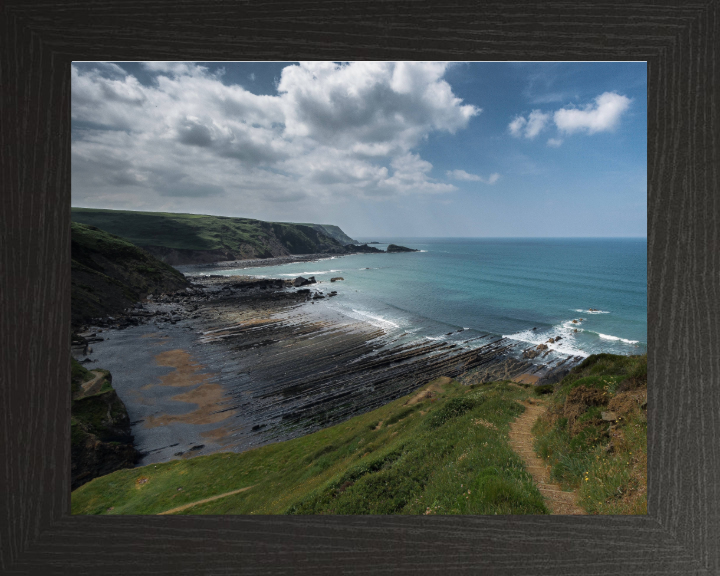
point(101, 437)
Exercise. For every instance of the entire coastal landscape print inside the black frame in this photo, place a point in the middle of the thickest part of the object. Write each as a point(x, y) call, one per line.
point(359, 288)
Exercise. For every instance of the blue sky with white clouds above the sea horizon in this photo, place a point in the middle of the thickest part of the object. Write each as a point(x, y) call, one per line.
point(403, 149)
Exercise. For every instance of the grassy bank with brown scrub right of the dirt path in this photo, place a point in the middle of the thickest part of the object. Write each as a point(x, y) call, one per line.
point(605, 461)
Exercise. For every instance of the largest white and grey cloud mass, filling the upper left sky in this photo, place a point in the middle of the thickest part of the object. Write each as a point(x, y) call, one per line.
point(331, 131)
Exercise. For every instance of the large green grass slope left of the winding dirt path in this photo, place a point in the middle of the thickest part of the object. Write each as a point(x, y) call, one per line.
point(446, 454)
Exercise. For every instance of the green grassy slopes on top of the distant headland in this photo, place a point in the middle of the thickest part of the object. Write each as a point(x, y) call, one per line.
point(204, 232)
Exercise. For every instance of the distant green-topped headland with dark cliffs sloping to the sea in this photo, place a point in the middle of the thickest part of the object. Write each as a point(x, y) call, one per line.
point(198, 239)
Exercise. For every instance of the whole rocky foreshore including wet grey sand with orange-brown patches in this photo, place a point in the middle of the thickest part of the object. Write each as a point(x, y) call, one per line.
point(235, 363)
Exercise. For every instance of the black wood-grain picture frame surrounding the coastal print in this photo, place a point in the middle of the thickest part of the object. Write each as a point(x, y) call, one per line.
point(681, 43)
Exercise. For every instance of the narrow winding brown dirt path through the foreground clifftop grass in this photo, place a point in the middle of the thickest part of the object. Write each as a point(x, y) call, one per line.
point(521, 441)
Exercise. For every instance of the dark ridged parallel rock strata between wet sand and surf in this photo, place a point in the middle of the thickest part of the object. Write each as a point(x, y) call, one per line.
point(288, 371)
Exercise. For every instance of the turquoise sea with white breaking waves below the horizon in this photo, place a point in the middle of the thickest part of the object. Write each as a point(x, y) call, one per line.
point(504, 287)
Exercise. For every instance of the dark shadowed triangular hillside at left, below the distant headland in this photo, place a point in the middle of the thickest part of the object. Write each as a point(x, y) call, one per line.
point(109, 274)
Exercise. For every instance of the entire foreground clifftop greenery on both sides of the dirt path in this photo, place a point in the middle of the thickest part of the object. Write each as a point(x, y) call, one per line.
point(443, 449)
